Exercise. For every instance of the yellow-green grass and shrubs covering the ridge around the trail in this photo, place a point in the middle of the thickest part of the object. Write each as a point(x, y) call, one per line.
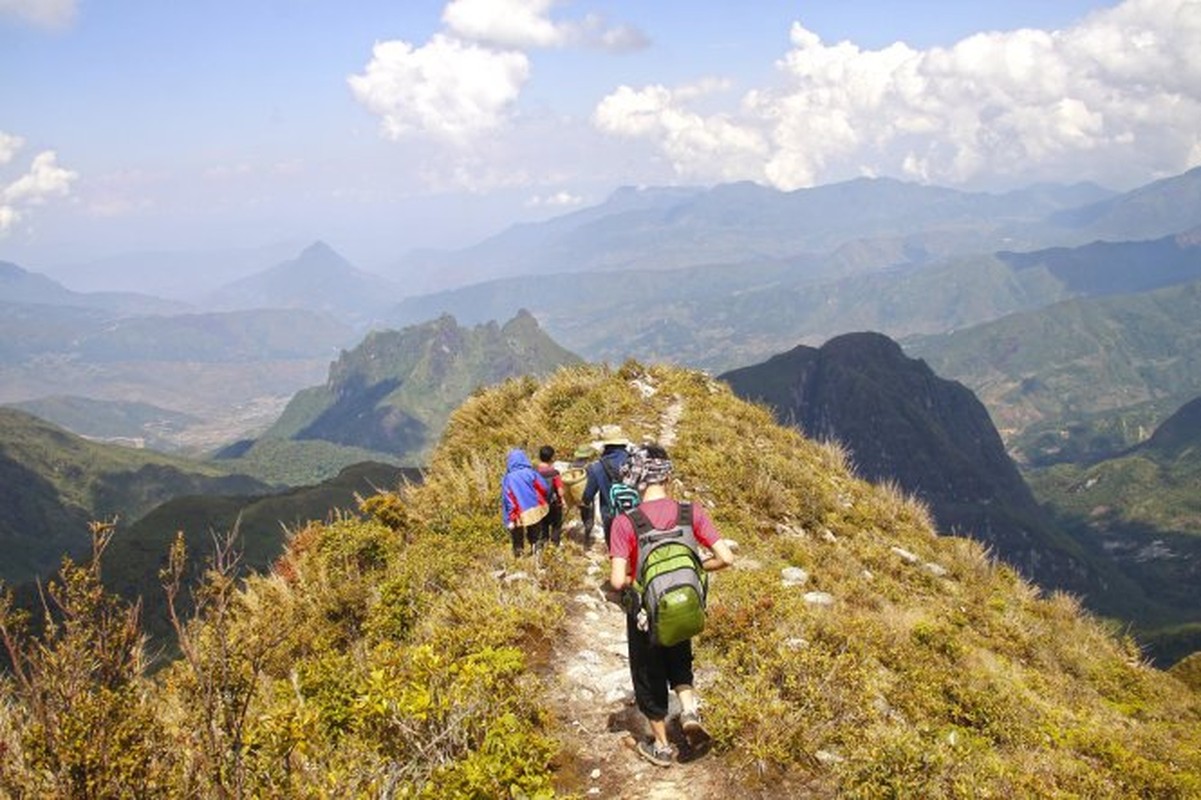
point(407, 654)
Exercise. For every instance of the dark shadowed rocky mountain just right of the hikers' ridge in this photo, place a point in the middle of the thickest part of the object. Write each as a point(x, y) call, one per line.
point(930, 437)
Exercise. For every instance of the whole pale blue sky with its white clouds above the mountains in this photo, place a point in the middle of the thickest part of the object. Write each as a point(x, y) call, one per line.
point(133, 126)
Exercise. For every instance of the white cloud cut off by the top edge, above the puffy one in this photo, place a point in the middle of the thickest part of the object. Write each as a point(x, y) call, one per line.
point(524, 25)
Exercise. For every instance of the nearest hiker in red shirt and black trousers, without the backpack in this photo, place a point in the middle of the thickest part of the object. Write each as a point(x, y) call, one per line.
point(655, 668)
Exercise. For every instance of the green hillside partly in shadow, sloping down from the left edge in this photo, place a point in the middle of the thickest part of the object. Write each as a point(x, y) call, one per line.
point(52, 483)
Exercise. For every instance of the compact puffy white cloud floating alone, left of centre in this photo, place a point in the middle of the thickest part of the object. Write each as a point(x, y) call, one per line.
point(449, 89)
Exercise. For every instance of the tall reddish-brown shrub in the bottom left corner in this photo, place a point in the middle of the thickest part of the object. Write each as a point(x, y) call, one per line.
point(81, 720)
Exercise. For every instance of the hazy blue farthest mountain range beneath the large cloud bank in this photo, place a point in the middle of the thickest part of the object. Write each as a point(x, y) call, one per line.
point(656, 229)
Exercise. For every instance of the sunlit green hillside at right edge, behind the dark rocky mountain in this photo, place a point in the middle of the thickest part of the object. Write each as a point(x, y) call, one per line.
point(1083, 379)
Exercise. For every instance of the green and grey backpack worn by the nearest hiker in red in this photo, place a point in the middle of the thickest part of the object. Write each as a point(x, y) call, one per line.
point(670, 578)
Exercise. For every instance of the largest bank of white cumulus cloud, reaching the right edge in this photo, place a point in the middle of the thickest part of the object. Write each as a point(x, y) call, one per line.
point(1119, 94)
